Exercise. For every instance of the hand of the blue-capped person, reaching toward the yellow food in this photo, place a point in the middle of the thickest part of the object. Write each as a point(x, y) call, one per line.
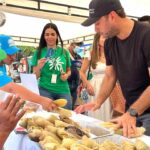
point(48, 104)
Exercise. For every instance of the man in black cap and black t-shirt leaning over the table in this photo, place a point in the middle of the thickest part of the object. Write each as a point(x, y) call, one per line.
point(127, 52)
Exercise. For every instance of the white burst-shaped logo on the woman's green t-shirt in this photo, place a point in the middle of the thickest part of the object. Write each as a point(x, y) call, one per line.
point(56, 64)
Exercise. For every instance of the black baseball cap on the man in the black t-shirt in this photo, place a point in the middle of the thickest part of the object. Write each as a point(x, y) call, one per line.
point(99, 8)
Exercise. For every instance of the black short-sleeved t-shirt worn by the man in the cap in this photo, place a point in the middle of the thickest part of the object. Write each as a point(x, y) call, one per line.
point(131, 59)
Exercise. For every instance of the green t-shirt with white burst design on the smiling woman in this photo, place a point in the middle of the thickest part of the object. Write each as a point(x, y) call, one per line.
point(57, 64)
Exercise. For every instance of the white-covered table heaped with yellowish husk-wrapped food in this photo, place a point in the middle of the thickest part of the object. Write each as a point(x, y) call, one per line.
point(66, 130)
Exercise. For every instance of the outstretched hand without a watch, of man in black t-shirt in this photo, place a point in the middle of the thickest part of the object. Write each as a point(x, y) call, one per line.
point(84, 107)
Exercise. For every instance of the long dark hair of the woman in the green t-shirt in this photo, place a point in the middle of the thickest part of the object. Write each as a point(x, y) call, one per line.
point(43, 43)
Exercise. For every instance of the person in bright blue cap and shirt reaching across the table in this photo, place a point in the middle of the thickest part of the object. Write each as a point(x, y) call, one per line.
point(6, 84)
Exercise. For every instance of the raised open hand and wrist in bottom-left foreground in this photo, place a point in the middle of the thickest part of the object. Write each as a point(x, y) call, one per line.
point(10, 114)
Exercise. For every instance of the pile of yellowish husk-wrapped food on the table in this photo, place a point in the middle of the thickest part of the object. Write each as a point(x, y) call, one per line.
point(59, 132)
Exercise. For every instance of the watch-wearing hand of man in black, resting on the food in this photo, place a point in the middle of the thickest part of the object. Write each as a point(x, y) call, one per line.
point(127, 122)
